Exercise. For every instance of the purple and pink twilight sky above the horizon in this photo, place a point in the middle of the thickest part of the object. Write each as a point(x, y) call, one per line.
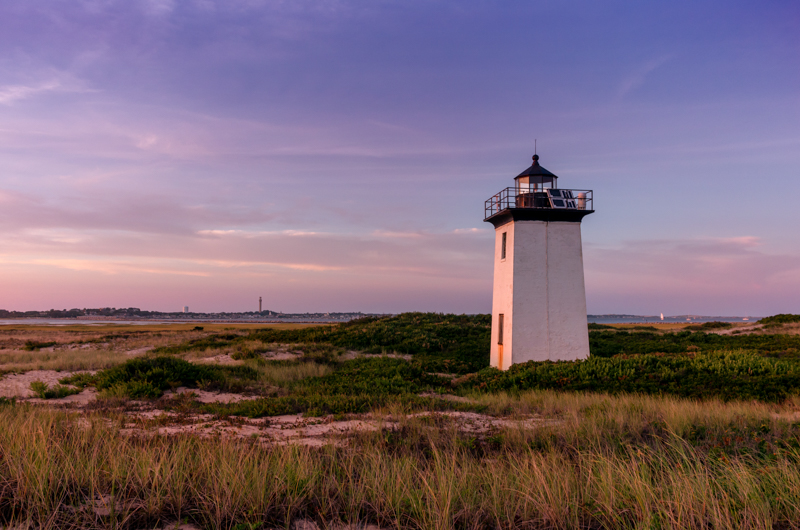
point(336, 155)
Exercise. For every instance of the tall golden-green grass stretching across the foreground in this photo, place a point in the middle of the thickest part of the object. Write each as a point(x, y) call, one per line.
point(60, 470)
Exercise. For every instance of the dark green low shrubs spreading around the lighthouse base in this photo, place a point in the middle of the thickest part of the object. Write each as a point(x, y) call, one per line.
point(448, 354)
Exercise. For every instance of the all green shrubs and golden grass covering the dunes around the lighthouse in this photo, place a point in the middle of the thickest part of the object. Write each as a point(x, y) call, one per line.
point(659, 428)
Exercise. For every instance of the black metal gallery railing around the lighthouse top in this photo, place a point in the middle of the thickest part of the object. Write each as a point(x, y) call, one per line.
point(551, 199)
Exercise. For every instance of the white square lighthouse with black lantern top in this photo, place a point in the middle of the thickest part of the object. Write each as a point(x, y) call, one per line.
point(539, 298)
